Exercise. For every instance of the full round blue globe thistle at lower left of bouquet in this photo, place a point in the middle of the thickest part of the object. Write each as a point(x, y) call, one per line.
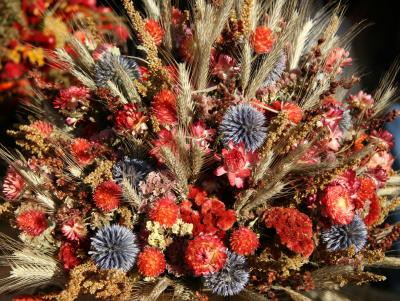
point(114, 247)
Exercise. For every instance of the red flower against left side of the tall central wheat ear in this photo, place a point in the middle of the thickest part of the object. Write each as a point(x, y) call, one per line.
point(164, 107)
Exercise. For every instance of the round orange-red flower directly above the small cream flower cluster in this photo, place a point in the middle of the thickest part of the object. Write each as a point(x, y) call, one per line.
point(165, 211)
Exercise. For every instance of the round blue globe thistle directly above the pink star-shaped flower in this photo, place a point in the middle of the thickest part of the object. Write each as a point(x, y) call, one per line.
point(243, 123)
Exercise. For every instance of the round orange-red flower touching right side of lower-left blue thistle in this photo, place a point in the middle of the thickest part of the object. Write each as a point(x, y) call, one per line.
point(151, 262)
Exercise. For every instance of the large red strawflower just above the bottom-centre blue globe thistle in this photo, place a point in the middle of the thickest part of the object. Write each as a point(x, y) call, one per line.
point(205, 254)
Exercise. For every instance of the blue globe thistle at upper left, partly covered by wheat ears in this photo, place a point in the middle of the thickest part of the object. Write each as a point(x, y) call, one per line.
point(106, 69)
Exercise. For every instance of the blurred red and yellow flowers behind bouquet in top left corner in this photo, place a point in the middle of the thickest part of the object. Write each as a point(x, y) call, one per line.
point(31, 29)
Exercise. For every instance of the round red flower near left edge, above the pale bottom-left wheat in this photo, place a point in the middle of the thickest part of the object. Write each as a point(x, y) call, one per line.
point(33, 222)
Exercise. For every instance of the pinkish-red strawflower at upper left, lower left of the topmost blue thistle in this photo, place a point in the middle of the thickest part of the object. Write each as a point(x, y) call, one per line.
point(70, 98)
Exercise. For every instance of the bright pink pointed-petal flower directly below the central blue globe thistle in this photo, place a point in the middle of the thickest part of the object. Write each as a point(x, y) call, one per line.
point(237, 164)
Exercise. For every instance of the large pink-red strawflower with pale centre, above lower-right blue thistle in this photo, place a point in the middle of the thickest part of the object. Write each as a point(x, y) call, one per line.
point(338, 205)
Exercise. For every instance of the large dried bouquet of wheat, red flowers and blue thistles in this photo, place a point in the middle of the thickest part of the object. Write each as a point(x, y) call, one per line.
point(227, 160)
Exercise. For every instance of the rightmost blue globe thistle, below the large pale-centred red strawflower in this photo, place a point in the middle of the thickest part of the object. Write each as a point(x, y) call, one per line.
point(339, 237)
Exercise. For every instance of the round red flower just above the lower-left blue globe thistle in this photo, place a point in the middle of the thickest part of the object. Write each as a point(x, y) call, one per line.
point(107, 196)
